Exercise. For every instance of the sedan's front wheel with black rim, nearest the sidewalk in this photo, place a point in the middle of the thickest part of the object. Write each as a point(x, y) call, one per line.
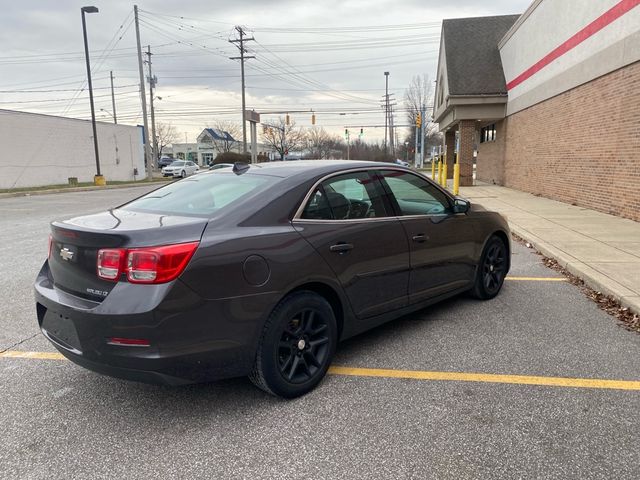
point(491, 270)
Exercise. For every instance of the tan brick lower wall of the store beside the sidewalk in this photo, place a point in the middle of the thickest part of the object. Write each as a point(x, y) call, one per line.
point(580, 147)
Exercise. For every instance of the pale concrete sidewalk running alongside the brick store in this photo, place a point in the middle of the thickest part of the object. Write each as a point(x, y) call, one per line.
point(602, 249)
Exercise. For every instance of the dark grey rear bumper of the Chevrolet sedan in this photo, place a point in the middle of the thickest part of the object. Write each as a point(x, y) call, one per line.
point(190, 339)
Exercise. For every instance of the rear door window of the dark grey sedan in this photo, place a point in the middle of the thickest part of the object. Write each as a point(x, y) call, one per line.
point(346, 197)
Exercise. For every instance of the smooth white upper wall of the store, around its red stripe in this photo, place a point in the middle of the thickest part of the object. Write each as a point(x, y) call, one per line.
point(546, 25)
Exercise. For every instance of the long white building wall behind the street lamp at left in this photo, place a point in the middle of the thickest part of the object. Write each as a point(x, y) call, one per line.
point(40, 150)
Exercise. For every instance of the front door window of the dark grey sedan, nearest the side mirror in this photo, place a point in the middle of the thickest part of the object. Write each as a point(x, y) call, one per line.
point(415, 195)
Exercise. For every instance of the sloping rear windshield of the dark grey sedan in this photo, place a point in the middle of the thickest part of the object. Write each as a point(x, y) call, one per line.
point(203, 194)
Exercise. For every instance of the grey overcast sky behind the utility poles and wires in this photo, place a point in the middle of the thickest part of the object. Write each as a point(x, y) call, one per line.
point(326, 56)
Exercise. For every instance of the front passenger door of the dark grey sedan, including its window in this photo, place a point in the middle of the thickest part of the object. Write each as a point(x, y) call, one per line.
point(441, 243)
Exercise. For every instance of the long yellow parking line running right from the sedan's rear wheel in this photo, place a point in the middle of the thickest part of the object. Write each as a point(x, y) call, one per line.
point(488, 378)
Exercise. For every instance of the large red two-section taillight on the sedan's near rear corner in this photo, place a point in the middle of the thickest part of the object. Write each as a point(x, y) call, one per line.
point(145, 265)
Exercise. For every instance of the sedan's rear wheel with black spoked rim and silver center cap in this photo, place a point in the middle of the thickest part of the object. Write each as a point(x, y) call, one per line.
point(297, 345)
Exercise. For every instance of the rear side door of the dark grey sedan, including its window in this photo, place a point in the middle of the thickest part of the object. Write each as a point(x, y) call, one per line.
point(348, 221)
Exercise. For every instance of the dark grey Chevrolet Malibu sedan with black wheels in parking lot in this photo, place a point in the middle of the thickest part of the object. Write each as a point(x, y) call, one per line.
point(260, 270)
